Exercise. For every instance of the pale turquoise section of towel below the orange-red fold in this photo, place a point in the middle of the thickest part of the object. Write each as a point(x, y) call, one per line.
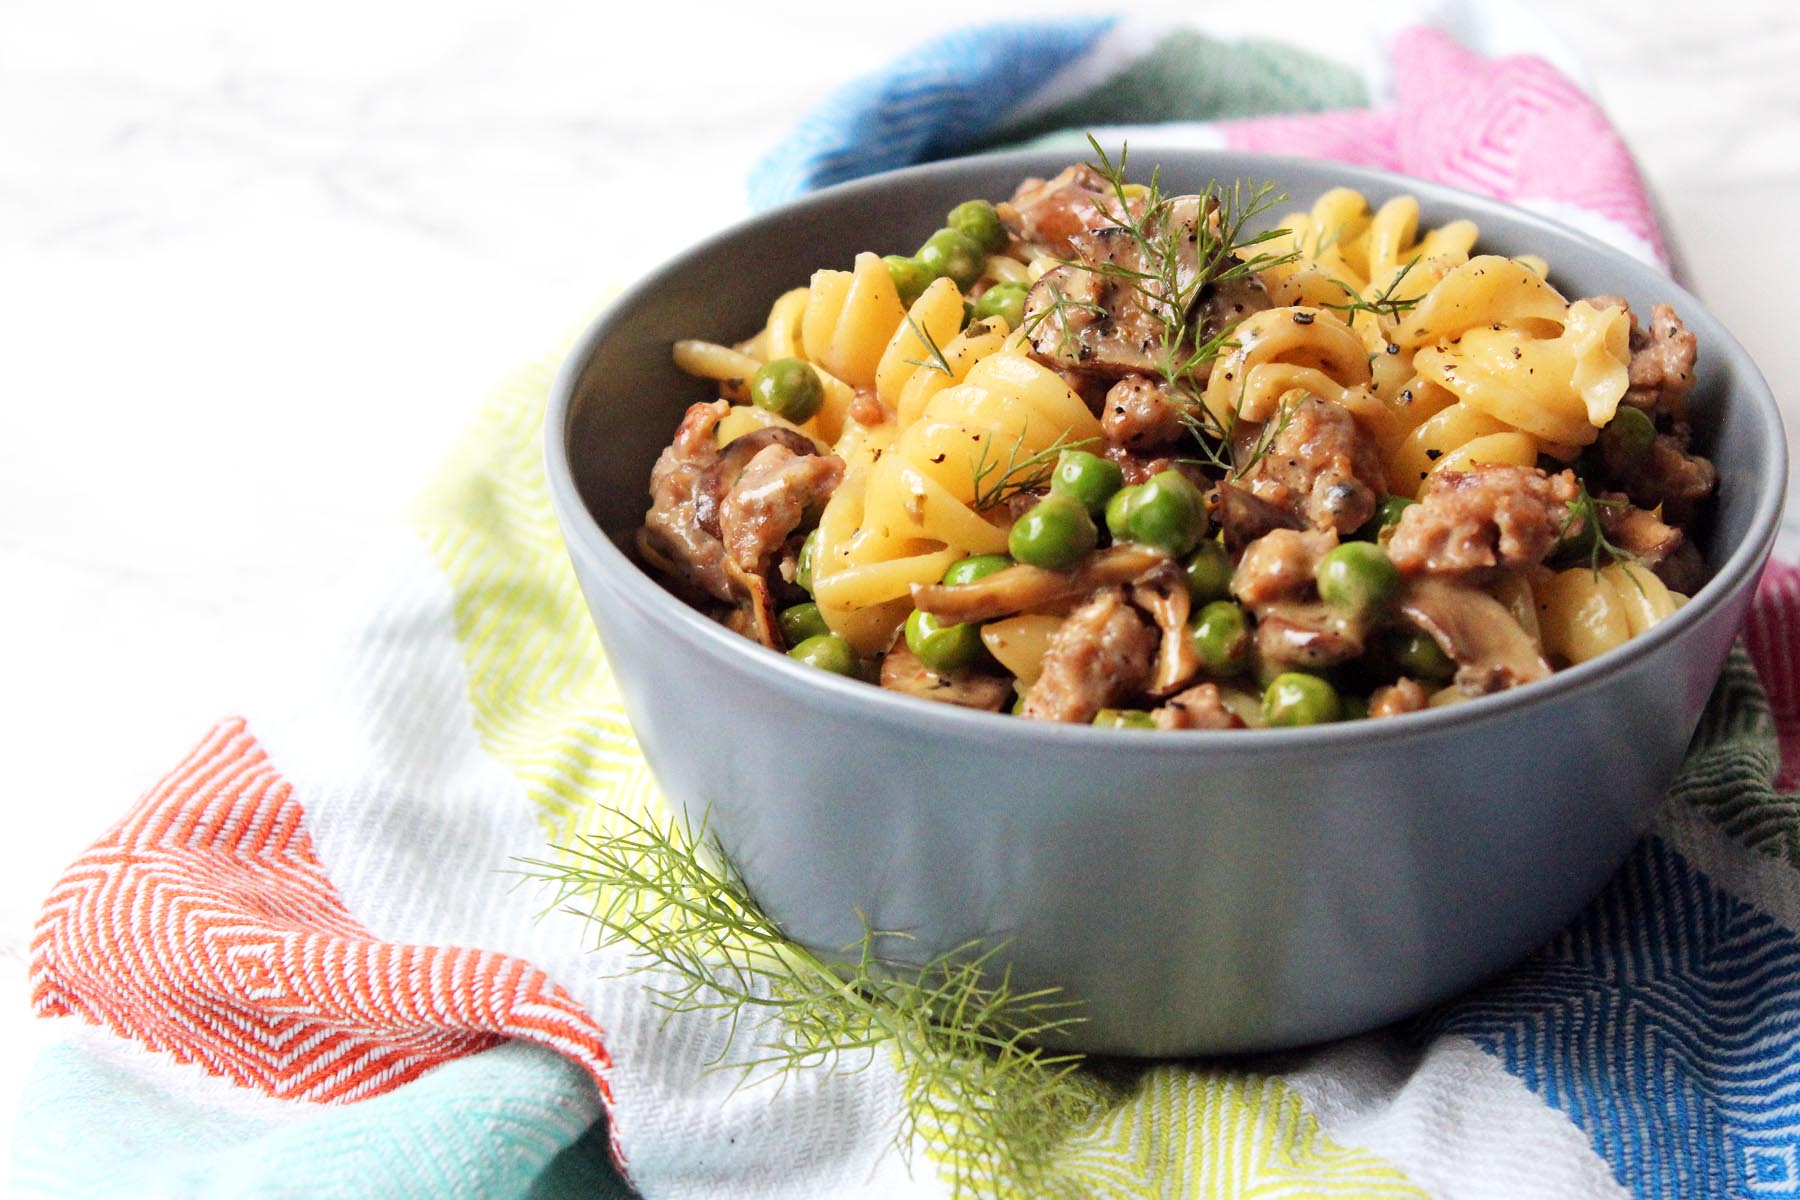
point(501, 1124)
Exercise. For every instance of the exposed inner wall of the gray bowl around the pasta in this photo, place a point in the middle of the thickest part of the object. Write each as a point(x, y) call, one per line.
point(620, 397)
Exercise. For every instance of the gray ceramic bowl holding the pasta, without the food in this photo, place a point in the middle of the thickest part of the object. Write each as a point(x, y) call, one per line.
point(1209, 891)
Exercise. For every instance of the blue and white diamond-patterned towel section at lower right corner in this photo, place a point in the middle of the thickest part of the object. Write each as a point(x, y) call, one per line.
point(1666, 1023)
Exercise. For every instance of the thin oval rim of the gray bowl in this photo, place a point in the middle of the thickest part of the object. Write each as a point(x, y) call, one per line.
point(584, 535)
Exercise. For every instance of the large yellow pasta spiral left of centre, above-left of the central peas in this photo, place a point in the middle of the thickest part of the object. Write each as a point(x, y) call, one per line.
point(913, 510)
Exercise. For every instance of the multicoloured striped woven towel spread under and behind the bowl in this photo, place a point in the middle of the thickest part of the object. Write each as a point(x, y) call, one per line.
point(301, 963)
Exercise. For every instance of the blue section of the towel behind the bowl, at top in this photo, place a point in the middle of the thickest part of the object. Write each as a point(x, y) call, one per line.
point(930, 103)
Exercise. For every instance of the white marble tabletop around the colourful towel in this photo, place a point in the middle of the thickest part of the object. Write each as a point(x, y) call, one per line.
point(258, 265)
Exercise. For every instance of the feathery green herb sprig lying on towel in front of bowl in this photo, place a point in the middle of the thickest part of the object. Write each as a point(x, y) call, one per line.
point(980, 1089)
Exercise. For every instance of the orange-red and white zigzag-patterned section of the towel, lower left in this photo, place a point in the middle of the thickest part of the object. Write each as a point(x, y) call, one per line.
point(204, 926)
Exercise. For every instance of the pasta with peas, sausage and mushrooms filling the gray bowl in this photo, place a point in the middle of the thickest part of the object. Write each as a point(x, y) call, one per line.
point(1111, 454)
